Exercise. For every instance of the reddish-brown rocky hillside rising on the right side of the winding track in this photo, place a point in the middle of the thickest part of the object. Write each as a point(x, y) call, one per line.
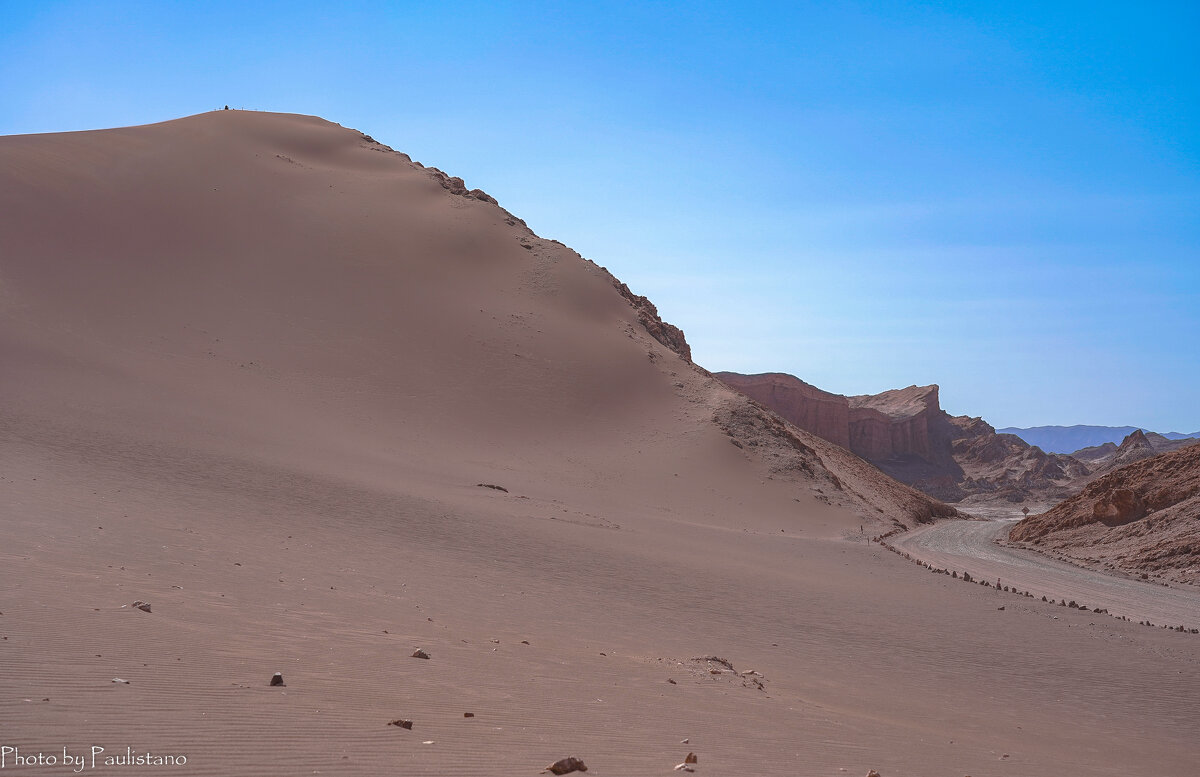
point(1143, 519)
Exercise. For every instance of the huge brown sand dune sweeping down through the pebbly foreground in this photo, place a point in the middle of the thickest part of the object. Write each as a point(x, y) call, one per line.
point(254, 369)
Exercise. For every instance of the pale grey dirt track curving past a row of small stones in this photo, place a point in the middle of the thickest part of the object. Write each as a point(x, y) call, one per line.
point(969, 546)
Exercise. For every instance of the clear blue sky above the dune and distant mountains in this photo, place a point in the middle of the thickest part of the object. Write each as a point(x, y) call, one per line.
point(1004, 201)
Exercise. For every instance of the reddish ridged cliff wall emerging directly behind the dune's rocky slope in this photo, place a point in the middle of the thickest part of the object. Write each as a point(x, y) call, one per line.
point(824, 414)
